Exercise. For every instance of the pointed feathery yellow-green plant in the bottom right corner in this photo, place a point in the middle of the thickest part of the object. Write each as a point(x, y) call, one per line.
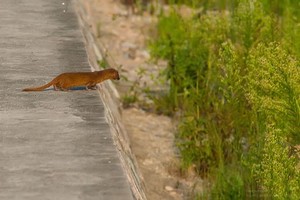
point(277, 170)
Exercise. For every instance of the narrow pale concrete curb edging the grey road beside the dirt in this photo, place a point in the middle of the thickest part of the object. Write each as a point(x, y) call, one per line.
point(110, 97)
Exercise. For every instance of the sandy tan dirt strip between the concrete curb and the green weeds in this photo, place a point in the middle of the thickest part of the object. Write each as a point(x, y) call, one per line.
point(152, 136)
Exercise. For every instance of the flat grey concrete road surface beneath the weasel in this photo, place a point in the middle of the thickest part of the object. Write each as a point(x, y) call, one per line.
point(53, 145)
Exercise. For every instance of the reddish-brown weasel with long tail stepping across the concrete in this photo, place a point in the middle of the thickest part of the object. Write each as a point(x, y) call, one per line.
point(66, 81)
